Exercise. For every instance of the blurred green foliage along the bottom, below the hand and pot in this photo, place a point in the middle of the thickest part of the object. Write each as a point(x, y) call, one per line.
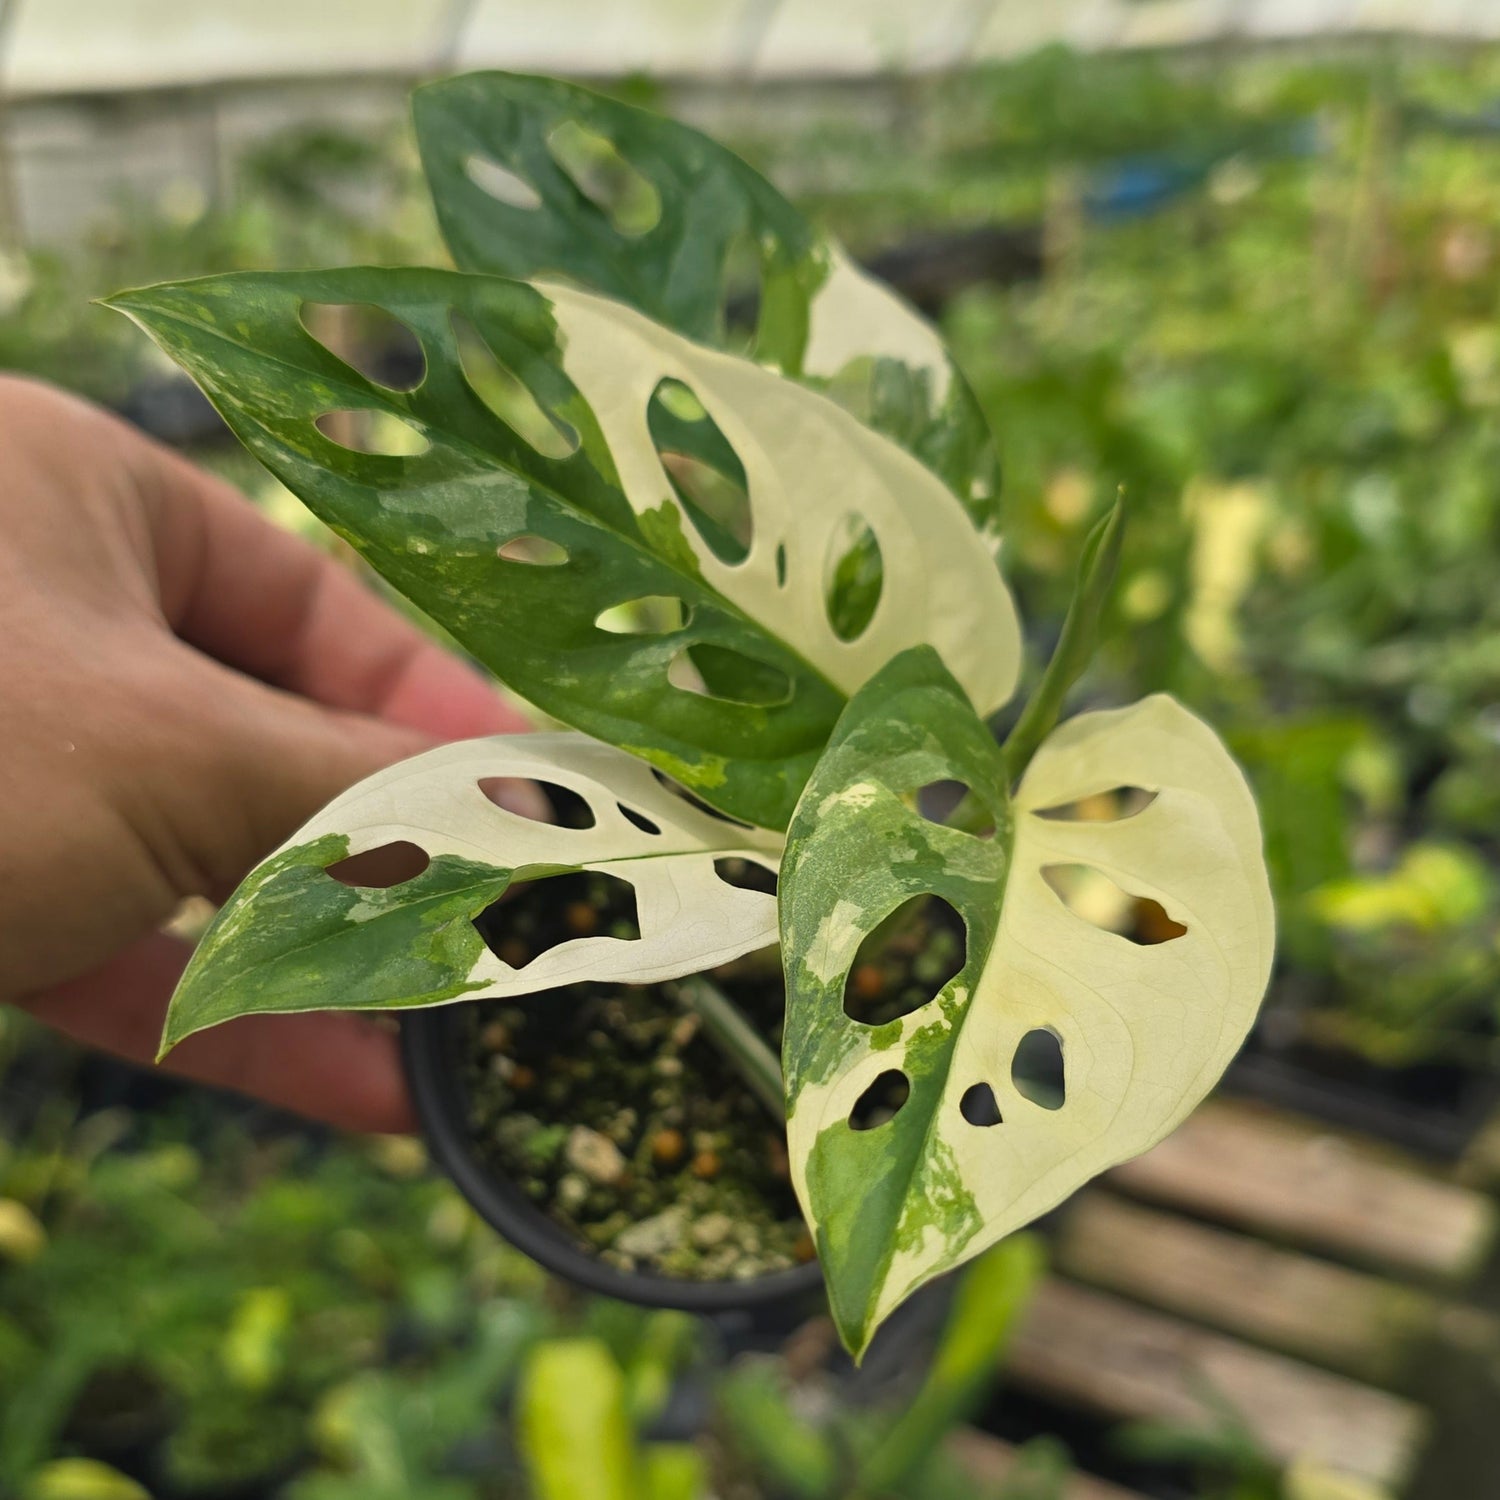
point(278, 1313)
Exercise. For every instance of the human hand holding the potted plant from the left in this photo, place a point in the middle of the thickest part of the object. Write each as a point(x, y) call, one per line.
point(182, 685)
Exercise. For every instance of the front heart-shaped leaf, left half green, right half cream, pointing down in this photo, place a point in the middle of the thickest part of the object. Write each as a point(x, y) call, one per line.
point(1142, 1012)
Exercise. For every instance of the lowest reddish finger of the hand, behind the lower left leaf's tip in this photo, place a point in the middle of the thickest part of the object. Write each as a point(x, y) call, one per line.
point(332, 1067)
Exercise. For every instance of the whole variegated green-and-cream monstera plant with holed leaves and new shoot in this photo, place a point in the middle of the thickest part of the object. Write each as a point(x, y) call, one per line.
point(800, 542)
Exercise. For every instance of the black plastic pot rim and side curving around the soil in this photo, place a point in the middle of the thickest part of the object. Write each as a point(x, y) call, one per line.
point(430, 1048)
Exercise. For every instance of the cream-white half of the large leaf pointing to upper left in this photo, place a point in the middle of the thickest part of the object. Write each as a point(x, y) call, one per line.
point(808, 466)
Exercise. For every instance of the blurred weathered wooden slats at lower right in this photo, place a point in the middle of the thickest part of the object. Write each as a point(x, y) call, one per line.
point(1265, 1265)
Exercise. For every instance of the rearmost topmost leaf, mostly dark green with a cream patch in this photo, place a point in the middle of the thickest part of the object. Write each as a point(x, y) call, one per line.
point(536, 178)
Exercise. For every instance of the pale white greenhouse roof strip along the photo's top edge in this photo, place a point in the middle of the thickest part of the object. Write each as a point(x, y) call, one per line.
point(70, 47)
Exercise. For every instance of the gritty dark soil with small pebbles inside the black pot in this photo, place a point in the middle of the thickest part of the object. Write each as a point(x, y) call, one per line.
point(619, 1117)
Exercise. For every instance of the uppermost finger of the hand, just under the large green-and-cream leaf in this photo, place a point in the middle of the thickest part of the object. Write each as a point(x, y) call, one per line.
point(277, 608)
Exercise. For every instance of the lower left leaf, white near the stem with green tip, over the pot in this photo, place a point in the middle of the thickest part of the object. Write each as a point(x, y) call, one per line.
point(296, 938)
